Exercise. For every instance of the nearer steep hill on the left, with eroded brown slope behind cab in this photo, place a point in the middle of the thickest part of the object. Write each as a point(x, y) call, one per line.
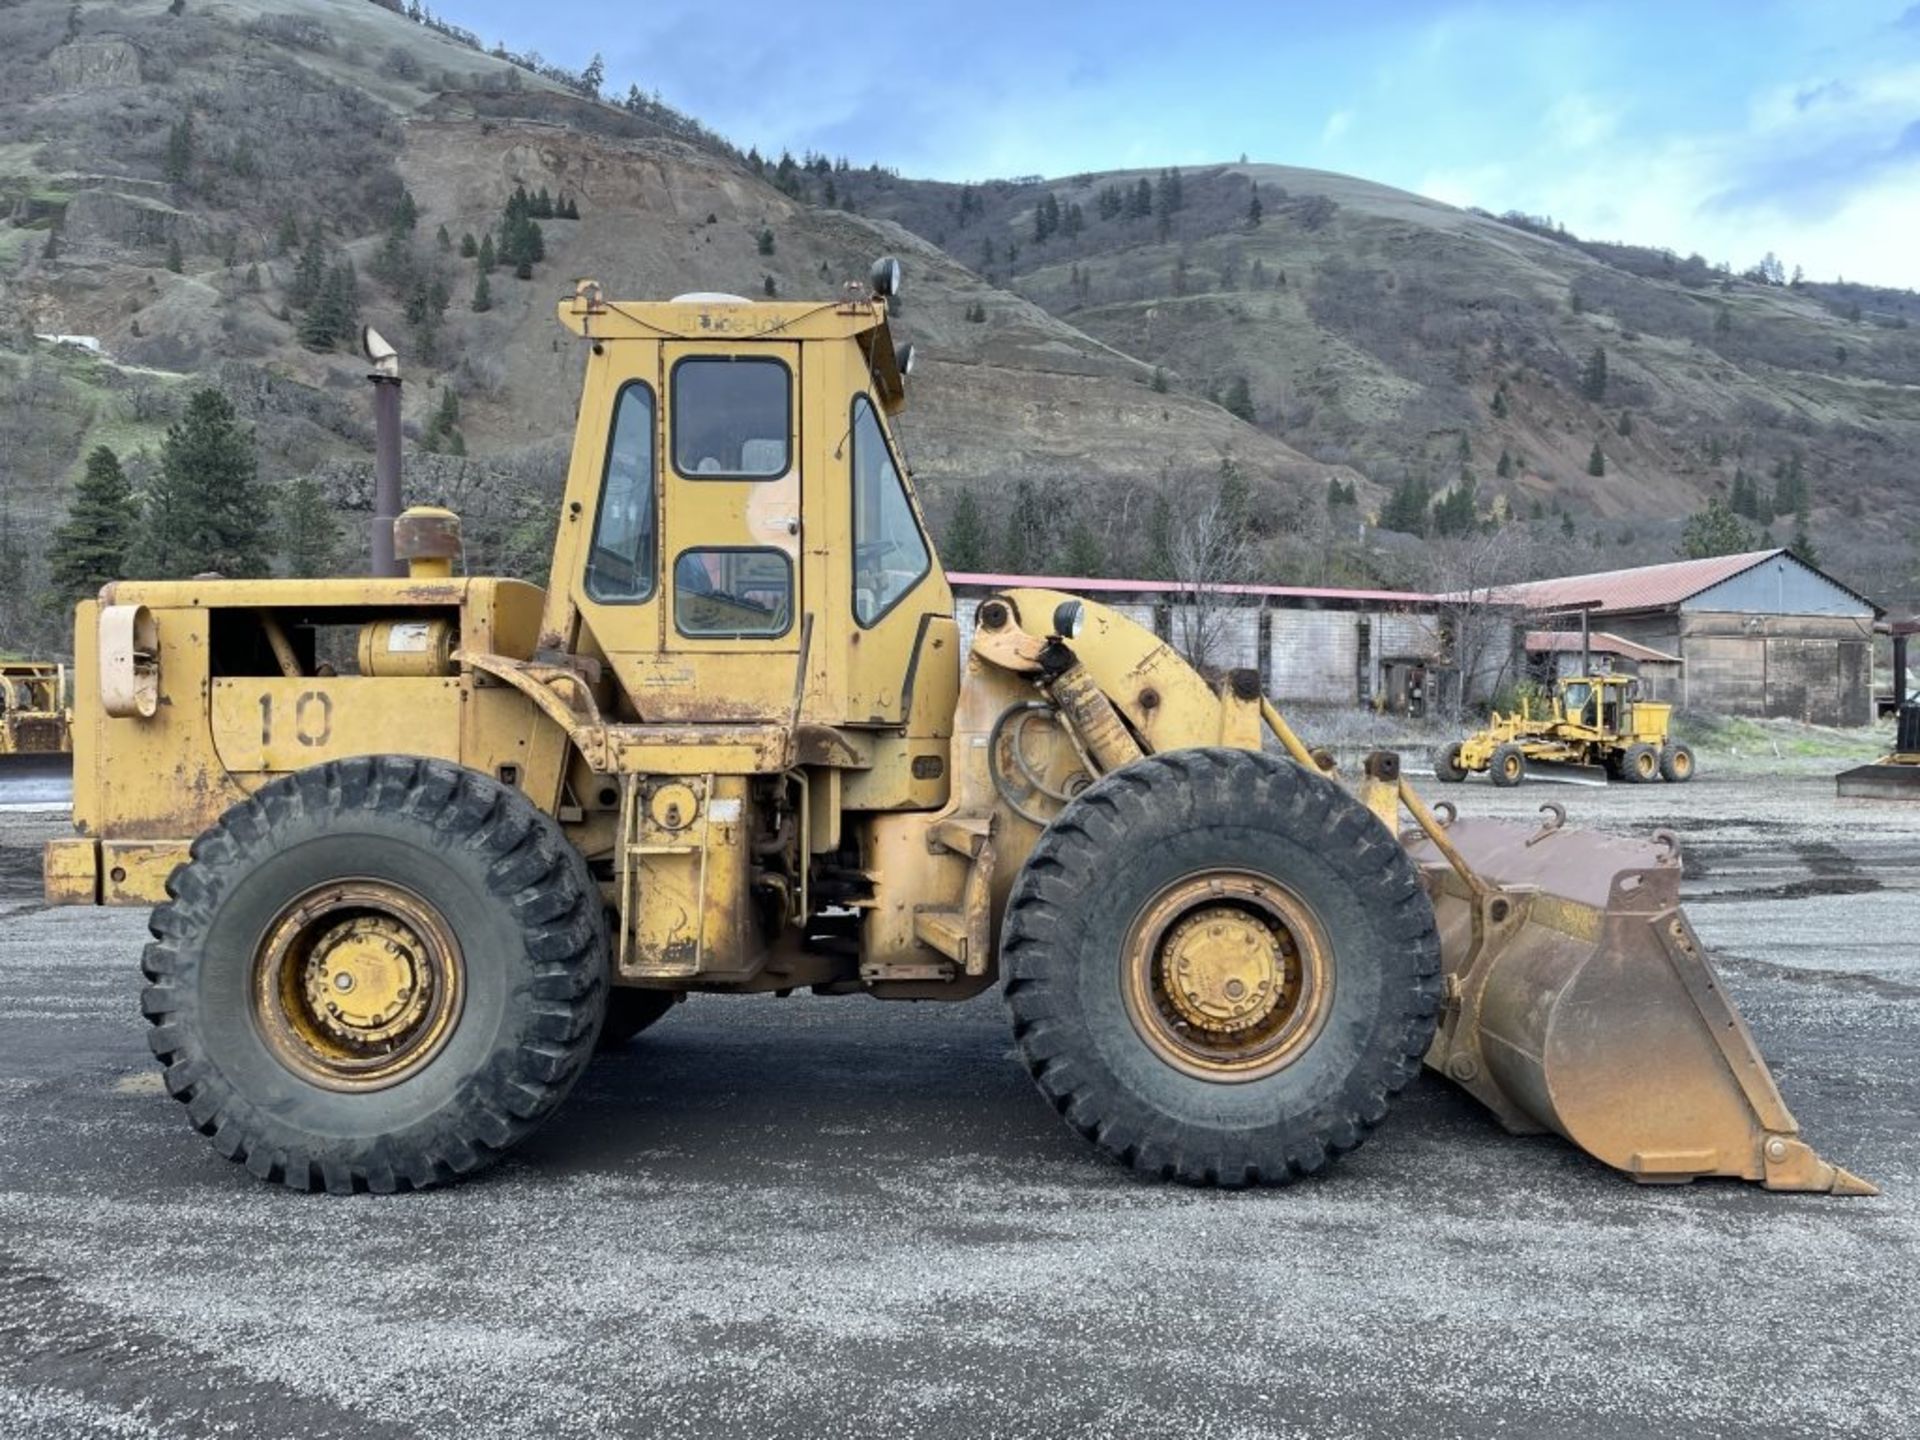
point(327, 116)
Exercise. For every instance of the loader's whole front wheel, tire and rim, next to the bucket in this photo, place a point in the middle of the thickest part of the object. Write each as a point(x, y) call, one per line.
point(1220, 969)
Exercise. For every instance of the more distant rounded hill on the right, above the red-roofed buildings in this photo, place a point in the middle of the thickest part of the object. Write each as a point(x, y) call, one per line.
point(1374, 329)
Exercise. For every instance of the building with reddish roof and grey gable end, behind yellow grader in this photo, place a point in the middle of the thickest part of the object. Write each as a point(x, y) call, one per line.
point(1758, 635)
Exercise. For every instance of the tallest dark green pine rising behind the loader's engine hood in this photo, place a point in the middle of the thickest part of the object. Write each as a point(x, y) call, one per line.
point(206, 510)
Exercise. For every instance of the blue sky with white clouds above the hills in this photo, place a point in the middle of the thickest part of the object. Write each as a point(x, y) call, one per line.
point(1729, 130)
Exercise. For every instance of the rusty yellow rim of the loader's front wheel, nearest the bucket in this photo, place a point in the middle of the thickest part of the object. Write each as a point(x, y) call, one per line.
point(1228, 976)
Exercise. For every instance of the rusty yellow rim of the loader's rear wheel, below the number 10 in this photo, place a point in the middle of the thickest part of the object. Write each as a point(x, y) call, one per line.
point(358, 986)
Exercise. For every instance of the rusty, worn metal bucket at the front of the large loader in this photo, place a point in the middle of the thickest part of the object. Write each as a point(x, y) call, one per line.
point(1579, 1001)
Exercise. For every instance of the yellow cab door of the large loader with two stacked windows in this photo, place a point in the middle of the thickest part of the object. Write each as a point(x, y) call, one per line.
point(731, 479)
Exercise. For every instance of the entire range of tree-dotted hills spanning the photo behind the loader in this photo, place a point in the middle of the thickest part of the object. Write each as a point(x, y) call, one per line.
point(164, 178)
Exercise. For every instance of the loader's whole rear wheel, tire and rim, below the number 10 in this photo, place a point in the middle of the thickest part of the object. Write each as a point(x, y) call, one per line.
point(375, 974)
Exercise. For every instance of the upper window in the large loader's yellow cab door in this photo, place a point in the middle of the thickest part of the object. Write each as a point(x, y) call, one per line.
point(732, 418)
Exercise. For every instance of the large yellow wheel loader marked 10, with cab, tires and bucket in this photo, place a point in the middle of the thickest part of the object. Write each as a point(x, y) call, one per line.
point(416, 844)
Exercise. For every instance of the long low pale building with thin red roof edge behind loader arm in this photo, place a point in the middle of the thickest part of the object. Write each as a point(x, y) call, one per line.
point(1381, 648)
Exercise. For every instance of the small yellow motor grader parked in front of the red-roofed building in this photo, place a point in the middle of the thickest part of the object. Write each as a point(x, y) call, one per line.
point(1595, 729)
